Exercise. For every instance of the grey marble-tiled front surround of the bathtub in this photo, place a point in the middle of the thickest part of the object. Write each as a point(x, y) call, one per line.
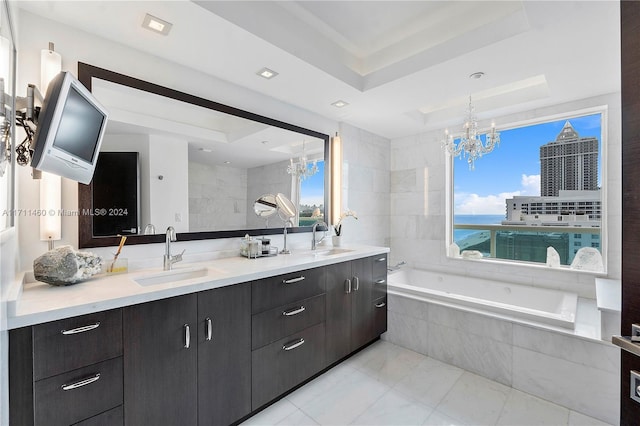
point(573, 368)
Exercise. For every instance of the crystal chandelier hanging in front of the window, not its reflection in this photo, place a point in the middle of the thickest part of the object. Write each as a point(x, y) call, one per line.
point(470, 145)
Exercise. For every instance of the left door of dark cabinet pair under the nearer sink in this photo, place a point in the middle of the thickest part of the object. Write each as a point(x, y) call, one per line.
point(160, 385)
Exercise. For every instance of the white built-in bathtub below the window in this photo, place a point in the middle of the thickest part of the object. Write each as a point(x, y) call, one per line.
point(552, 307)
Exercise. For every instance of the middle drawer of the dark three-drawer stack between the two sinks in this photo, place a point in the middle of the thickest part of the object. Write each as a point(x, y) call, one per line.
point(282, 321)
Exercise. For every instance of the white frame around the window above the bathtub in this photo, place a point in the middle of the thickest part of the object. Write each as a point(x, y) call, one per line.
point(603, 110)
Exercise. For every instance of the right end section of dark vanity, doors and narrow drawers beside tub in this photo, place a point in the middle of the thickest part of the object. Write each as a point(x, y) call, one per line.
point(356, 305)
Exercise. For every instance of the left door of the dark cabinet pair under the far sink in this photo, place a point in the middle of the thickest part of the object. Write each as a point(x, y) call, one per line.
point(338, 313)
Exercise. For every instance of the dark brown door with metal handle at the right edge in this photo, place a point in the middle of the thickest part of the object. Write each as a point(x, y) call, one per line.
point(630, 30)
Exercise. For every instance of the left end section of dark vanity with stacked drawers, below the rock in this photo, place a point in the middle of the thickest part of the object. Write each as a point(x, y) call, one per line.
point(67, 371)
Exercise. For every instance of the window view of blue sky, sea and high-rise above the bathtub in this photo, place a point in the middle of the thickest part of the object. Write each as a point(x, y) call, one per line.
point(540, 188)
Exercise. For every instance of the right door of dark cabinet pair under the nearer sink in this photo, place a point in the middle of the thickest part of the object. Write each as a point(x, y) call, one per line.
point(224, 354)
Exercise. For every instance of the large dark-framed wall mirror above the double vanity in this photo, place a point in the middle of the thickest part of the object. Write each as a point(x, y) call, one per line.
point(174, 159)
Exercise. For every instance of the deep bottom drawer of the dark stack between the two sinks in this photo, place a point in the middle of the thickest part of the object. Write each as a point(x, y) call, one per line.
point(282, 365)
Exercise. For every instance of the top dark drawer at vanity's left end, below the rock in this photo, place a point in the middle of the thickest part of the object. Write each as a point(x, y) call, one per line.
point(65, 345)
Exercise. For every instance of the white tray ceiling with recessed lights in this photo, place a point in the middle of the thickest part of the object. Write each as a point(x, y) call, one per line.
point(403, 66)
